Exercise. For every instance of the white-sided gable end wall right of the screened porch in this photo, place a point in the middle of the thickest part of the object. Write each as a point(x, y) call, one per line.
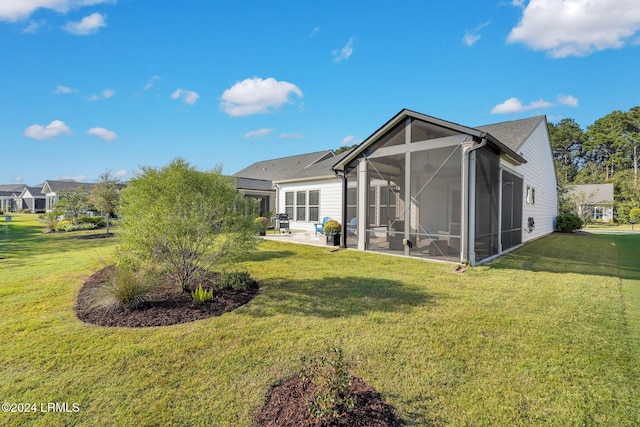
point(539, 175)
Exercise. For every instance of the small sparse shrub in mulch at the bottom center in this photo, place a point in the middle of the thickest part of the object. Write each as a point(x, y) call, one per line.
point(327, 374)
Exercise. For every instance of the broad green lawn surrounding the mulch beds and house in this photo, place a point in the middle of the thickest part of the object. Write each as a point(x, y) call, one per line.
point(547, 335)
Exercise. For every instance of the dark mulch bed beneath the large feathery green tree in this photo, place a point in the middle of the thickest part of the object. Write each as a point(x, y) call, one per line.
point(169, 305)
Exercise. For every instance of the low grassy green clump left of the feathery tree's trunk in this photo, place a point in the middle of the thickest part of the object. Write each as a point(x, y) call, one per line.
point(127, 289)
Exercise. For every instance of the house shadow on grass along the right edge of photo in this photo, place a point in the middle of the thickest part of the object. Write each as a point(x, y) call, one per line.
point(593, 254)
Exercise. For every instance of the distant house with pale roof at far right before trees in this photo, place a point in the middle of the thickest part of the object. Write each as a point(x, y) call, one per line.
point(594, 202)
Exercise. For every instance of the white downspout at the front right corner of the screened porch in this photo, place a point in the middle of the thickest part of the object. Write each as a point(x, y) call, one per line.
point(470, 206)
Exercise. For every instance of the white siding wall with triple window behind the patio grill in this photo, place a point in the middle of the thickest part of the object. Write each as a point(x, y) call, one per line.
point(330, 200)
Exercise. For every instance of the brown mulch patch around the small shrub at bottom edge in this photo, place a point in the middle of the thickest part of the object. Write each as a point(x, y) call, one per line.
point(287, 406)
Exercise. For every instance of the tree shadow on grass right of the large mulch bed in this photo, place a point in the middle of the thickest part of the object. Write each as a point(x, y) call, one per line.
point(334, 296)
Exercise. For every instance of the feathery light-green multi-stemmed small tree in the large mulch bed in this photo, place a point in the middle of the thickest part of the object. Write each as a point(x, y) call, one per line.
point(185, 220)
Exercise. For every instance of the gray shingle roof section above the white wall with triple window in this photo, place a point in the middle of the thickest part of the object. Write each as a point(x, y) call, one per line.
point(284, 168)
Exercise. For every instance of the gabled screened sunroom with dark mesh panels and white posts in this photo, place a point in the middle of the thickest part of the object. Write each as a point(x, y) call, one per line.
point(425, 187)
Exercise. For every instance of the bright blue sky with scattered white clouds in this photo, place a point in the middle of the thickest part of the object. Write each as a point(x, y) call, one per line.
point(90, 86)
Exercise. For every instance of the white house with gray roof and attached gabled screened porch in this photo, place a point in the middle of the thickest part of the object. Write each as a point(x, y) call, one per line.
point(425, 187)
